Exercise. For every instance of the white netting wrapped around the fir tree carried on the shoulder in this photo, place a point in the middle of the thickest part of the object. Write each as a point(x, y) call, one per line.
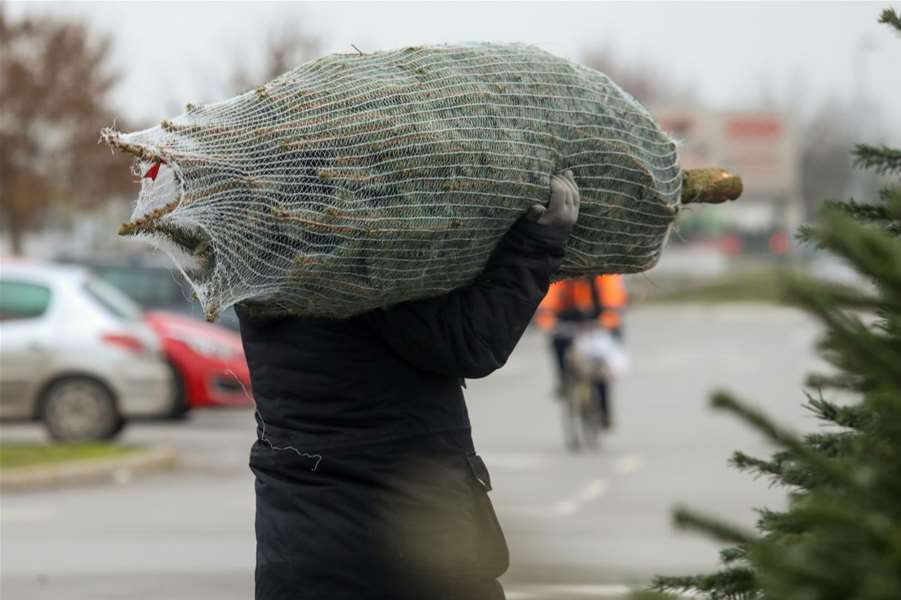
point(358, 181)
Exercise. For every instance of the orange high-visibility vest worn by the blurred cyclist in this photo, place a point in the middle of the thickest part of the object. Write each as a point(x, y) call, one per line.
point(576, 294)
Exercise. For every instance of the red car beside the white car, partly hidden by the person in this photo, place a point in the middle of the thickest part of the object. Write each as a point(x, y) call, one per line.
point(208, 361)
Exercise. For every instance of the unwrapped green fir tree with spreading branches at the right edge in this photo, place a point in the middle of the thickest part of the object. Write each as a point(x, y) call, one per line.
point(840, 537)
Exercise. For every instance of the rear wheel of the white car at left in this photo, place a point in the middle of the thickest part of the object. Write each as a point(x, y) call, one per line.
point(80, 409)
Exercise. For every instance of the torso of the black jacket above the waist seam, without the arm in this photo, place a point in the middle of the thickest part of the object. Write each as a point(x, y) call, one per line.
point(341, 384)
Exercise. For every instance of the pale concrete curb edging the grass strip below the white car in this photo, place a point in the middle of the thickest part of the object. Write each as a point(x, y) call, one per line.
point(88, 472)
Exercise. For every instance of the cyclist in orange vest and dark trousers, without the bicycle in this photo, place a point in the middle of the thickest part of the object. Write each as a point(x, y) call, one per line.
point(577, 302)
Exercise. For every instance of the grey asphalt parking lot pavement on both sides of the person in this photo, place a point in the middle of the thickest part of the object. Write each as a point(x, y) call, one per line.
point(578, 526)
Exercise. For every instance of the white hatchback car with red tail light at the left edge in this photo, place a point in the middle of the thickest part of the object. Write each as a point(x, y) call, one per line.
point(75, 353)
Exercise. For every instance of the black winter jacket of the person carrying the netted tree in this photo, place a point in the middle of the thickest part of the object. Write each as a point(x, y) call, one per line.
point(367, 483)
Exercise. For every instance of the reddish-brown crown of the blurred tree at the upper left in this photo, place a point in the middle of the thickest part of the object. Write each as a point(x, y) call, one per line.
point(54, 99)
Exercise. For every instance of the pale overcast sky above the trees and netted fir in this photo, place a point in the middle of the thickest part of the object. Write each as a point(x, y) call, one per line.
point(729, 51)
